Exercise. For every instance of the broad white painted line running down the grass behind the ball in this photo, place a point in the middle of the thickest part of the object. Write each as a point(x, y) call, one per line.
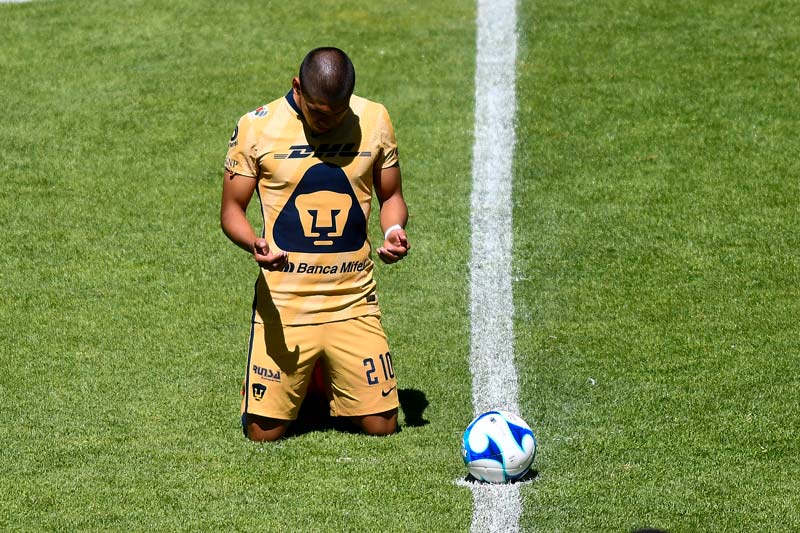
point(496, 508)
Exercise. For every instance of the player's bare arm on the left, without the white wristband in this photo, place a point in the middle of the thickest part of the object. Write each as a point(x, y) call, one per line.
point(237, 190)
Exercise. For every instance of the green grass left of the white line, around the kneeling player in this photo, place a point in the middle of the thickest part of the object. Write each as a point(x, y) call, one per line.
point(125, 310)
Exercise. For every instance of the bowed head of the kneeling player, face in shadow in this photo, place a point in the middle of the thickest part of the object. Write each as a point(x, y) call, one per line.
point(323, 88)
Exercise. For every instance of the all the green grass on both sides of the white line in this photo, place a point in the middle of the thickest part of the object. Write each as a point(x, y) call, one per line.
point(656, 267)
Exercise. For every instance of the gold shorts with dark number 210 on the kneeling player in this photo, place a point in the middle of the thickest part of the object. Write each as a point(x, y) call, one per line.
point(354, 356)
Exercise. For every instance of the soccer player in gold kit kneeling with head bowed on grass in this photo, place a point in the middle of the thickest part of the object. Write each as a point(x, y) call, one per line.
point(314, 157)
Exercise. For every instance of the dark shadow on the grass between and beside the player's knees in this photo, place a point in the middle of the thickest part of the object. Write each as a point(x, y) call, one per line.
point(315, 416)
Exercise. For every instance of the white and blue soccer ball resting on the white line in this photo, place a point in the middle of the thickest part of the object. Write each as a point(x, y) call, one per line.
point(498, 447)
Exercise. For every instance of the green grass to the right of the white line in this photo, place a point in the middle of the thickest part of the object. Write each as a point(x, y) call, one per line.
point(656, 253)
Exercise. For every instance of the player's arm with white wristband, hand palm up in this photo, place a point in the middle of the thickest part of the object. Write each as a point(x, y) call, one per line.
point(394, 212)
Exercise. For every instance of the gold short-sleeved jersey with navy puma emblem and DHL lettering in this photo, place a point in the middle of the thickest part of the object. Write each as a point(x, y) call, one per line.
point(315, 193)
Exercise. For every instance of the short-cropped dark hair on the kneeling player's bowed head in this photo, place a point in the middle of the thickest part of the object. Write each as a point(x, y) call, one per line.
point(327, 74)
